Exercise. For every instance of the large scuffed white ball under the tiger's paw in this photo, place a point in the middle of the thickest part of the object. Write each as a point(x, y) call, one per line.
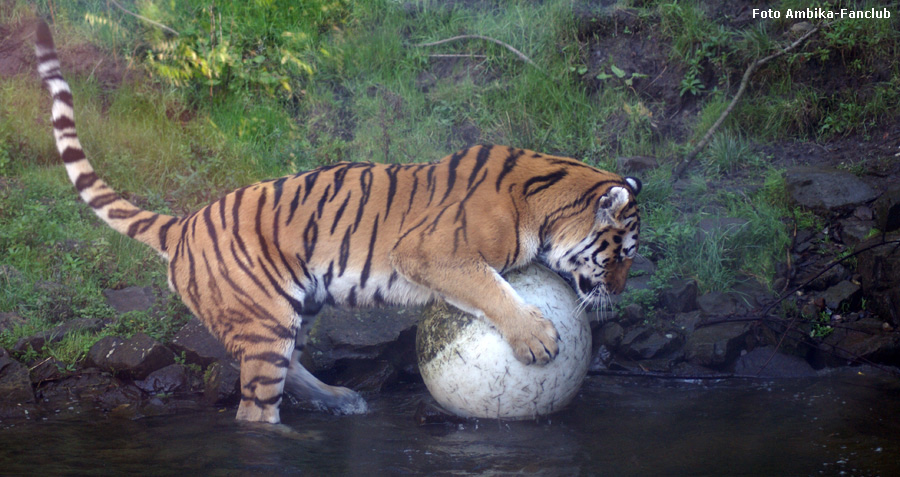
point(471, 371)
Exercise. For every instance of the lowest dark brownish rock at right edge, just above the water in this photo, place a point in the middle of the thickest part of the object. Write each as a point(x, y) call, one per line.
point(867, 339)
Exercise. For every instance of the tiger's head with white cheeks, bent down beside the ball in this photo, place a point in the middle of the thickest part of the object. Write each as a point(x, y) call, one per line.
point(597, 260)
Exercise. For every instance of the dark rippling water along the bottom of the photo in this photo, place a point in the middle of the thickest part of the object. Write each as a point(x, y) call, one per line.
point(848, 425)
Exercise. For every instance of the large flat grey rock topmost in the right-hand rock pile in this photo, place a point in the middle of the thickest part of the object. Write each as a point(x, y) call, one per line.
point(827, 189)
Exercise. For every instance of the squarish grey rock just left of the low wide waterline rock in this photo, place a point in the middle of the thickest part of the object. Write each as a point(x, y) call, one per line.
point(717, 345)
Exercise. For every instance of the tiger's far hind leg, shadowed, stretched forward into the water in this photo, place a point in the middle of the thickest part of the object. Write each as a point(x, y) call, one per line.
point(303, 385)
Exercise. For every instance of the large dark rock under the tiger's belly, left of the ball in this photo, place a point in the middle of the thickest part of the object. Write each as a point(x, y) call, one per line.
point(357, 334)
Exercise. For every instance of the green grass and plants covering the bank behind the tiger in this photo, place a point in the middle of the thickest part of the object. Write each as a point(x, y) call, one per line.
point(252, 90)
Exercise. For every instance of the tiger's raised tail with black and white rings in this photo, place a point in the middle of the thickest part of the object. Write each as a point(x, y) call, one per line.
point(148, 227)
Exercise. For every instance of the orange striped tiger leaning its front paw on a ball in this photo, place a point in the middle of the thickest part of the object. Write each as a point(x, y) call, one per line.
point(257, 265)
